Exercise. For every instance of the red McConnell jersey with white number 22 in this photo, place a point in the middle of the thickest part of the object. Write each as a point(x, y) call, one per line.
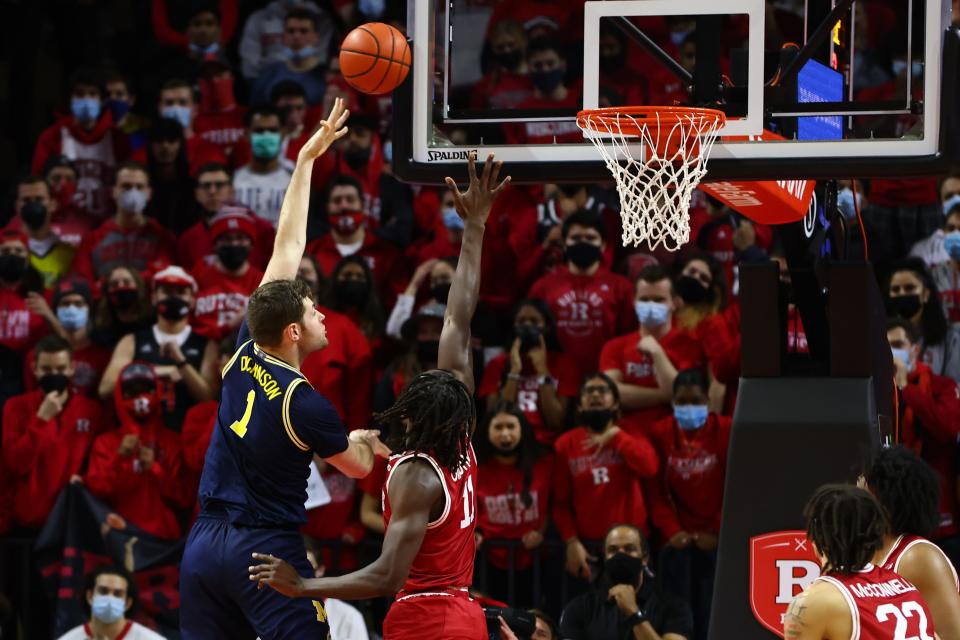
point(883, 605)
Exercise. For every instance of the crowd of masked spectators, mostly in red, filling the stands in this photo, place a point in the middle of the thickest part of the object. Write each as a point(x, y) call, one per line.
point(139, 229)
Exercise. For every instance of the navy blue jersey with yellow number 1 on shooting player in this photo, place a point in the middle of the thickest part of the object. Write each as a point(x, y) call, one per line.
point(269, 423)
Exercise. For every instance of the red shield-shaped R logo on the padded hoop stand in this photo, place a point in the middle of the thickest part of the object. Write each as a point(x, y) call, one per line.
point(782, 564)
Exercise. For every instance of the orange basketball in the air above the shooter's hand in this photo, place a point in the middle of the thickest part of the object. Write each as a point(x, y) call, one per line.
point(374, 58)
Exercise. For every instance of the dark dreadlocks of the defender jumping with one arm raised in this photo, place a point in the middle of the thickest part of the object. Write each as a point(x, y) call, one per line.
point(440, 412)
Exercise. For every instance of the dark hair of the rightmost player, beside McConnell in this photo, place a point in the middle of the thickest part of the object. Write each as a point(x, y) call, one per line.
point(908, 489)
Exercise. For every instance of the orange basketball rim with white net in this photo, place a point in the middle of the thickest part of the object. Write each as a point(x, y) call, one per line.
point(655, 187)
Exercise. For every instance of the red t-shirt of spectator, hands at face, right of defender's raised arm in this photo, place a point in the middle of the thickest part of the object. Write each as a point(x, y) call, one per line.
point(561, 366)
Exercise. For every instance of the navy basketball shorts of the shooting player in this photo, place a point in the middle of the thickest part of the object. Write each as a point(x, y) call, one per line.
point(218, 599)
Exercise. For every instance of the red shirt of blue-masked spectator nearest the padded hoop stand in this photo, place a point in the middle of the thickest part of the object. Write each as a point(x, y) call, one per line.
point(687, 492)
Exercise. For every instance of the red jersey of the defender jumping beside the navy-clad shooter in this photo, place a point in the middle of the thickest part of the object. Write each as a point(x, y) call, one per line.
point(445, 559)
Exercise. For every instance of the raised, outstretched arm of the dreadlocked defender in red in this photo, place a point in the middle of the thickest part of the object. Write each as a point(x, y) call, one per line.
point(474, 206)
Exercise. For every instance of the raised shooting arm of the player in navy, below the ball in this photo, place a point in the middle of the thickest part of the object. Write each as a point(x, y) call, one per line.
point(291, 238)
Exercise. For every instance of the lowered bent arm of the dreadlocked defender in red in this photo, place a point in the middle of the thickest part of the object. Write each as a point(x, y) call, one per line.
point(413, 491)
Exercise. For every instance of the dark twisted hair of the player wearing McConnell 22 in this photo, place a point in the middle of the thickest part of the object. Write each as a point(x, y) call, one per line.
point(847, 526)
